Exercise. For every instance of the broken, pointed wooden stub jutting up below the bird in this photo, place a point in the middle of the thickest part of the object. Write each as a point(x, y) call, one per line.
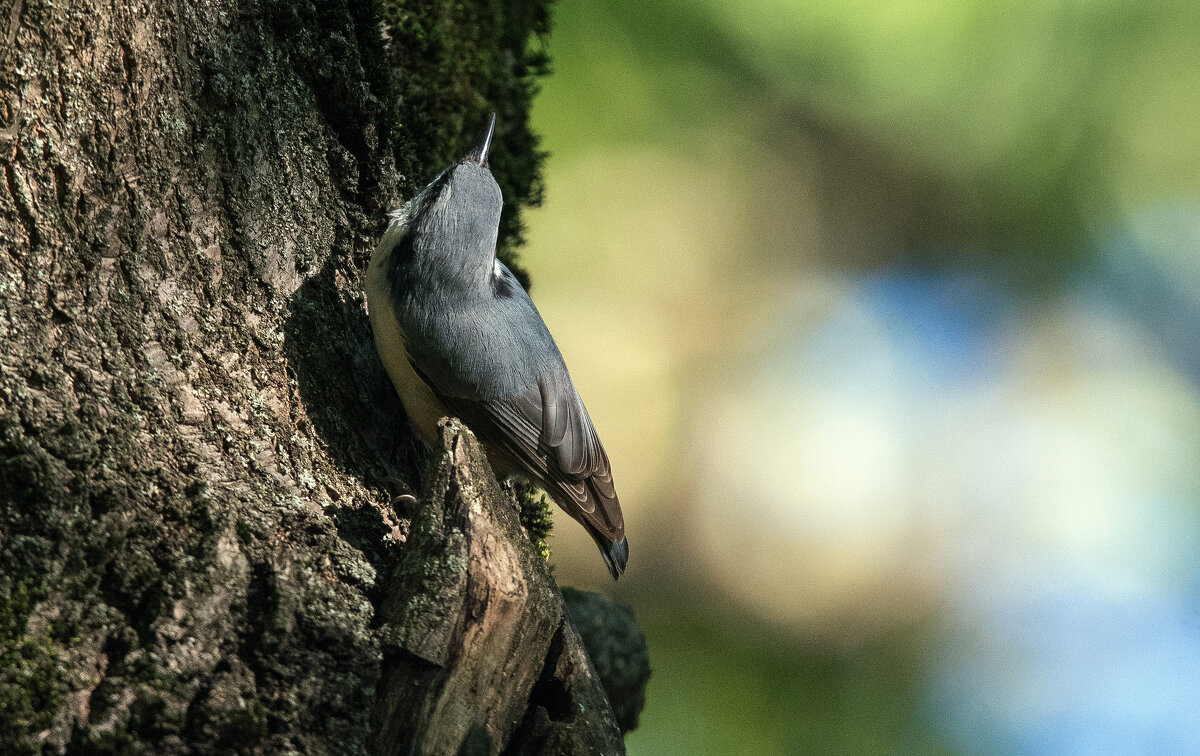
point(476, 637)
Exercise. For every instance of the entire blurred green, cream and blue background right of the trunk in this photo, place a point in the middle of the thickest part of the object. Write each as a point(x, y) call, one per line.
point(889, 315)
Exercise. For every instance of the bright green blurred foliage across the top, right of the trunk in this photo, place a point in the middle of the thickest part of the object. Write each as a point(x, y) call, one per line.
point(1012, 128)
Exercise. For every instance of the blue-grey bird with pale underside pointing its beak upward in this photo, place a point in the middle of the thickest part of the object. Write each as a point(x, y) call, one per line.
point(460, 337)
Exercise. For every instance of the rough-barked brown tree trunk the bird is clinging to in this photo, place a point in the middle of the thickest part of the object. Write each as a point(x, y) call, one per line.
point(199, 446)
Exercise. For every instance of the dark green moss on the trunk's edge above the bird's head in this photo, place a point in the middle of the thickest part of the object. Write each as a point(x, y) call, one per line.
point(459, 62)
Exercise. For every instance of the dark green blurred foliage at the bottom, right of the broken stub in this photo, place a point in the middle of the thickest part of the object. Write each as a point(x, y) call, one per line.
point(727, 685)
